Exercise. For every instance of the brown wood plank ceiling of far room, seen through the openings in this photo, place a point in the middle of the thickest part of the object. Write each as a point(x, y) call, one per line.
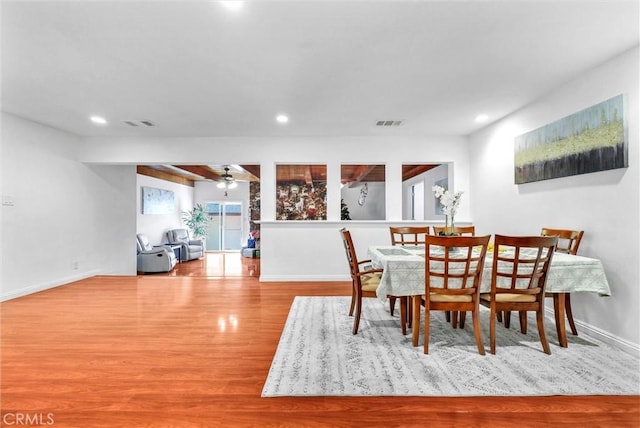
point(350, 174)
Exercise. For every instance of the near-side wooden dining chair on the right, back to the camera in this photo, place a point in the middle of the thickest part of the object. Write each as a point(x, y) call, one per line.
point(518, 278)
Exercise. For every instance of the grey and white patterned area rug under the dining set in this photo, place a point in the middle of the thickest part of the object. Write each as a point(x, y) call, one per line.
point(318, 356)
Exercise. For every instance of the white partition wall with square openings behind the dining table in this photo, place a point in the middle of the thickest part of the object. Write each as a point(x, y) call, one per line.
point(307, 250)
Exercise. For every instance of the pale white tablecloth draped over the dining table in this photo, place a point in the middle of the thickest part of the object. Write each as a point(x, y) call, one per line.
point(404, 268)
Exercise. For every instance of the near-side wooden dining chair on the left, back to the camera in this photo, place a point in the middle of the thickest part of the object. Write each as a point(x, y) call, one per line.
point(453, 273)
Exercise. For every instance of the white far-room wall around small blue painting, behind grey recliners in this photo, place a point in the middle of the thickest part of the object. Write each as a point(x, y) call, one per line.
point(155, 226)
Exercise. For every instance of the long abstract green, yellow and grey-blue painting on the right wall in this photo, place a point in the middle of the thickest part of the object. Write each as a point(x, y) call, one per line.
point(591, 140)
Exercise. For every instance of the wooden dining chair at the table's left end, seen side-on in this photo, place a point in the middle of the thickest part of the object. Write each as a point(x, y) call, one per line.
point(364, 283)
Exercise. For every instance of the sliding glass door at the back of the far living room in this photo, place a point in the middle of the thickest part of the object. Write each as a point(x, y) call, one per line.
point(225, 229)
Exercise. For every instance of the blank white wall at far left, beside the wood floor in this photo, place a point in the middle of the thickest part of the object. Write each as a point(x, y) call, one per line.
point(68, 220)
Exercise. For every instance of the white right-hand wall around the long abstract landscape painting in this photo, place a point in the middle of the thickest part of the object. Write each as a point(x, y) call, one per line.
point(604, 204)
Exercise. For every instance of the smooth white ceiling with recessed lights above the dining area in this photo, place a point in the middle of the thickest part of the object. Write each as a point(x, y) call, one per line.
point(335, 67)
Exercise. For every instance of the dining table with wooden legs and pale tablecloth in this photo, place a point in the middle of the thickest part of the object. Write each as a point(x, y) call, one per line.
point(404, 275)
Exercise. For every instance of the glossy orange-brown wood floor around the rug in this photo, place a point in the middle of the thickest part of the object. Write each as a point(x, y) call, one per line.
point(193, 348)
